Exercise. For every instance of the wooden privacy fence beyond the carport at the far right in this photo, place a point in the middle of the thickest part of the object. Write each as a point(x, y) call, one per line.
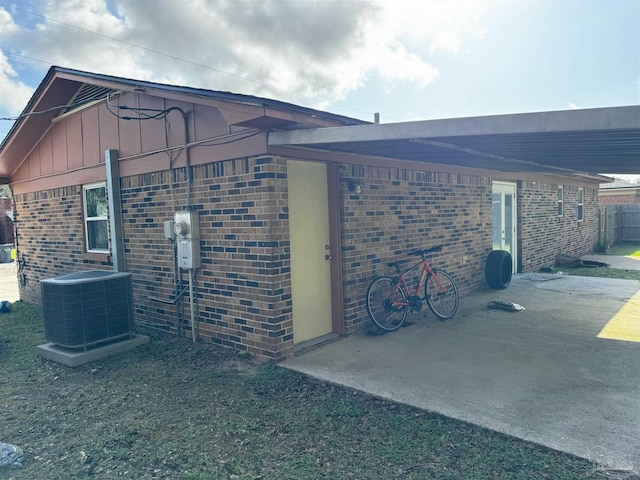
point(619, 223)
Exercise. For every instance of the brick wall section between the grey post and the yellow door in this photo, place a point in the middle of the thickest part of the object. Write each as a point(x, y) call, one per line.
point(243, 288)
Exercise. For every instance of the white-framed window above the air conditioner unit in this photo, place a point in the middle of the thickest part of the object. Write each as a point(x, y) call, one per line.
point(96, 217)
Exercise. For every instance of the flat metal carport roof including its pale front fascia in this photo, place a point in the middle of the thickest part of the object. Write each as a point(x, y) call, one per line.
point(591, 141)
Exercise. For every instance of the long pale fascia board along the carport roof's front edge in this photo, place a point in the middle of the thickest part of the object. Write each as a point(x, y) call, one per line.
point(598, 119)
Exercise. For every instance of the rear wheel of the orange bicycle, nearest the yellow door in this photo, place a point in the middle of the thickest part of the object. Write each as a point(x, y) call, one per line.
point(386, 303)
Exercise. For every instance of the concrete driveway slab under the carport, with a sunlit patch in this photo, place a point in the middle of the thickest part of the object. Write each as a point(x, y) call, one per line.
point(541, 374)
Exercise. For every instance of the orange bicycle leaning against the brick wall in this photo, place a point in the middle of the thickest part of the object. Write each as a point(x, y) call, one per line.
point(389, 298)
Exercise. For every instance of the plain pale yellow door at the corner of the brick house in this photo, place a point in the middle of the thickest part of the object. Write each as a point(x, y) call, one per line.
point(310, 250)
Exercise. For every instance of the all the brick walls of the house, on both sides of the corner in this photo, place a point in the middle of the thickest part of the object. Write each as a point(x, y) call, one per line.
point(243, 290)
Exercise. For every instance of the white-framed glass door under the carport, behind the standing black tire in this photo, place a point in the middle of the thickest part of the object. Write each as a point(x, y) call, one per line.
point(504, 209)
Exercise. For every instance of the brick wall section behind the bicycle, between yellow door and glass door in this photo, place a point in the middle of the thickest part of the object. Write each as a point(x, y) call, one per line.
point(402, 210)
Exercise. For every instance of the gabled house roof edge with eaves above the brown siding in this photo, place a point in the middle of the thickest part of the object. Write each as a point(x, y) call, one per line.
point(62, 87)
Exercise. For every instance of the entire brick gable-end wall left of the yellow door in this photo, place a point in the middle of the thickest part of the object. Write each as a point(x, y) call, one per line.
point(243, 290)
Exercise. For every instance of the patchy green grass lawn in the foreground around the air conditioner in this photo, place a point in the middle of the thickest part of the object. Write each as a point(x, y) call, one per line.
point(174, 410)
